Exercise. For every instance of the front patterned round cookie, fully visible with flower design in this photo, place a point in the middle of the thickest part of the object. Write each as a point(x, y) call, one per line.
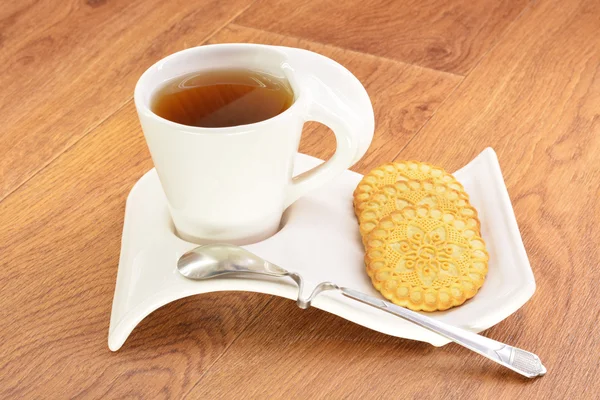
point(426, 259)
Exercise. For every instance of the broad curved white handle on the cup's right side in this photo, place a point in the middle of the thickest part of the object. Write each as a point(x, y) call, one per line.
point(343, 106)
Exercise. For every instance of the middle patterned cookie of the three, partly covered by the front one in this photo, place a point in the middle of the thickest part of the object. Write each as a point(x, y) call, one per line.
point(411, 193)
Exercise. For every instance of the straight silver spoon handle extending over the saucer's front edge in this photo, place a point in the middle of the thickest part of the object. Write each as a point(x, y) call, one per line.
point(520, 361)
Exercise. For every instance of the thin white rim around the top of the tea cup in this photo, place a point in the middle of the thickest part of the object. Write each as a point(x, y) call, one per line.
point(144, 108)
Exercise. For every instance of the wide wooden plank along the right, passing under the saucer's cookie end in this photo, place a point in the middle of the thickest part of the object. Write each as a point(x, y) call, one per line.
point(538, 107)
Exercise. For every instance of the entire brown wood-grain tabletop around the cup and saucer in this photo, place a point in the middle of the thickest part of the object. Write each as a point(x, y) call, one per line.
point(447, 79)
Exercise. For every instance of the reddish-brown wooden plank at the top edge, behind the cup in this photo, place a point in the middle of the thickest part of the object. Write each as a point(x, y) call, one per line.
point(445, 35)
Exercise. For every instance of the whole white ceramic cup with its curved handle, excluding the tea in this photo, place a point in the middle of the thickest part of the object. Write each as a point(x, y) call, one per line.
point(232, 184)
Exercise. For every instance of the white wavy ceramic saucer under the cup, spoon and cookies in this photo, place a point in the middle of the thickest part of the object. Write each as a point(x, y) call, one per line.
point(319, 240)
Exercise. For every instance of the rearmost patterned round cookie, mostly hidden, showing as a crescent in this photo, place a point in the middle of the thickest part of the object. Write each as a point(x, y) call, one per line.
point(391, 173)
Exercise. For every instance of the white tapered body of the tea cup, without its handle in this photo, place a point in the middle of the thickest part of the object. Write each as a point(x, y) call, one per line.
point(223, 184)
